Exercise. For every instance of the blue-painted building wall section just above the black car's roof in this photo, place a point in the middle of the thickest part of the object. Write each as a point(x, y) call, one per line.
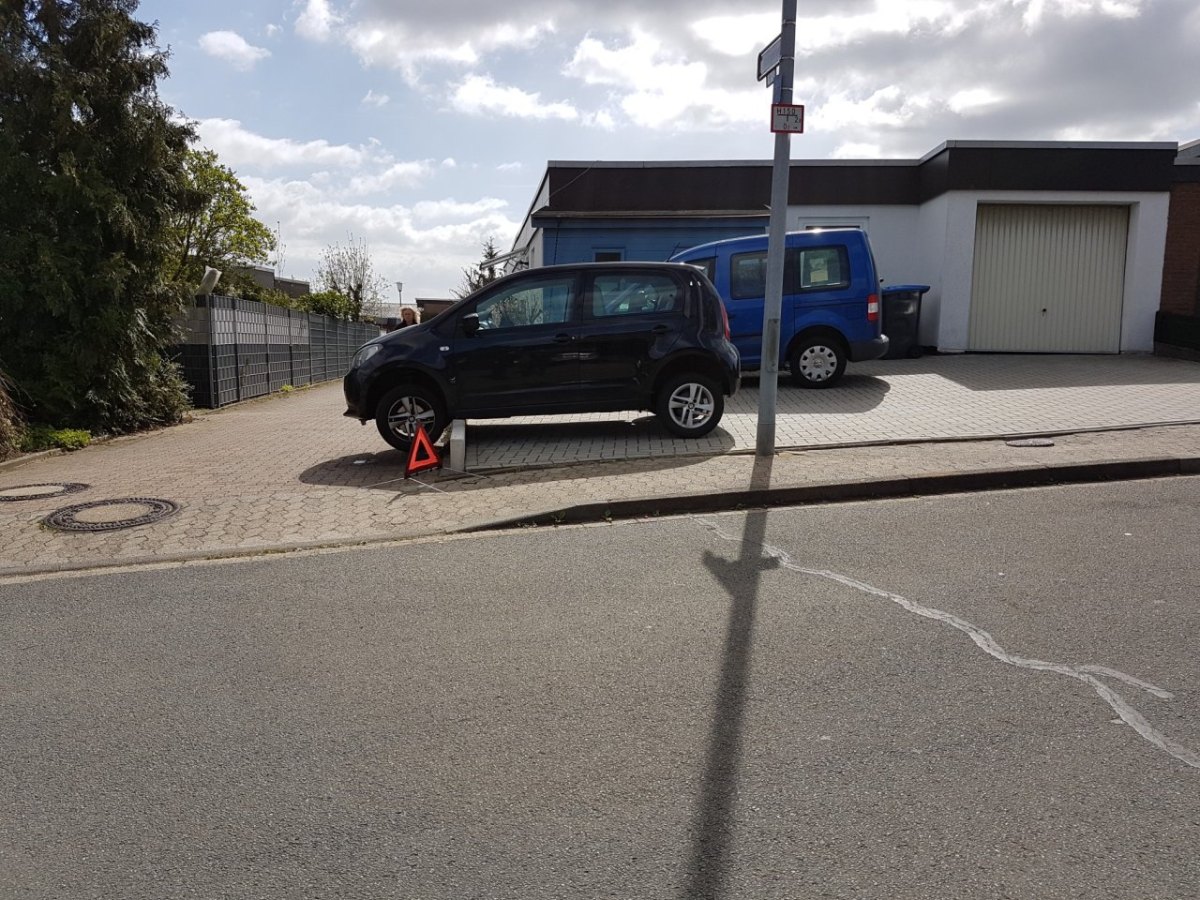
point(571, 242)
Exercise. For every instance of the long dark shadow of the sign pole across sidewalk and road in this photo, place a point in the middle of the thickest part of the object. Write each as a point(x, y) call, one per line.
point(713, 820)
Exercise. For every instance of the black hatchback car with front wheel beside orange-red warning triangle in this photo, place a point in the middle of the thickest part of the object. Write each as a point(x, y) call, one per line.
point(565, 339)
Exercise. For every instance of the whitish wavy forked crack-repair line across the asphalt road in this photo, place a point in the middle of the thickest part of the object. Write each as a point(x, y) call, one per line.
point(1087, 674)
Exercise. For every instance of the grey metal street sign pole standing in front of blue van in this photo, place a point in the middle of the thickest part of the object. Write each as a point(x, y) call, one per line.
point(769, 375)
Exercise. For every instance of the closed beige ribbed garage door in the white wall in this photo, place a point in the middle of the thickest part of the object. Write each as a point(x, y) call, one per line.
point(1048, 279)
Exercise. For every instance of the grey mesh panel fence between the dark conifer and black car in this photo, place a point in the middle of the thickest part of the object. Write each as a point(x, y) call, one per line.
point(236, 350)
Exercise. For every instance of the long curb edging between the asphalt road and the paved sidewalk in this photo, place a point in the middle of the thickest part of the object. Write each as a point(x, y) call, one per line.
point(681, 505)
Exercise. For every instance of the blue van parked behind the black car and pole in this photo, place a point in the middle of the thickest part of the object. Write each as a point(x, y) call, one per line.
point(831, 310)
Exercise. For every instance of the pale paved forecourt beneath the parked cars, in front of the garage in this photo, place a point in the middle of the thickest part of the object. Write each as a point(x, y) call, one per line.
point(957, 397)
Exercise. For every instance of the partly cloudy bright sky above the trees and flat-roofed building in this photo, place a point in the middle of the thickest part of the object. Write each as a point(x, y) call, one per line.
point(421, 130)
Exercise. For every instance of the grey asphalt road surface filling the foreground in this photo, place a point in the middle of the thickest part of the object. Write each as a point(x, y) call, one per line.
point(971, 697)
